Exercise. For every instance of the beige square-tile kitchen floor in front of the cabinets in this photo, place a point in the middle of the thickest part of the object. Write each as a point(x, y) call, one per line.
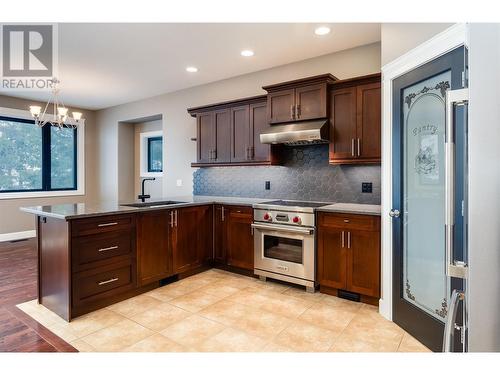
point(217, 311)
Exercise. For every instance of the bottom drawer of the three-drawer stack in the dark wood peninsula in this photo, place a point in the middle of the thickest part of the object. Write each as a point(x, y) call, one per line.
point(102, 283)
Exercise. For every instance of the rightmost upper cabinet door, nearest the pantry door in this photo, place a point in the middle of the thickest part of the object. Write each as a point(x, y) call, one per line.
point(368, 122)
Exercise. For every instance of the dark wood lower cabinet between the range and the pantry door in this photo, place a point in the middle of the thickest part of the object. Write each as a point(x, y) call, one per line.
point(349, 254)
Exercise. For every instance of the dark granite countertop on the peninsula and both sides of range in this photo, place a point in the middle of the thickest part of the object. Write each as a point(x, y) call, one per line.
point(80, 210)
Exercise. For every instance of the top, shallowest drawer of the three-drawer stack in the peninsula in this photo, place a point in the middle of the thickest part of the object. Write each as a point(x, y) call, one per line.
point(82, 227)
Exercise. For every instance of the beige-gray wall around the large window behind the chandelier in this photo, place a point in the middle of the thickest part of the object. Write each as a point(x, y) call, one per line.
point(11, 218)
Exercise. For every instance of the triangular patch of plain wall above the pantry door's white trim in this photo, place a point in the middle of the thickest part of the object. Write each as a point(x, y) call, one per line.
point(399, 38)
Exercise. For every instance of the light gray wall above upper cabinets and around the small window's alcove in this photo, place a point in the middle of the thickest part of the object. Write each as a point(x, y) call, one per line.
point(179, 127)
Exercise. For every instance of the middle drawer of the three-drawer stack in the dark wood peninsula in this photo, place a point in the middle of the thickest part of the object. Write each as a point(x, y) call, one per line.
point(101, 246)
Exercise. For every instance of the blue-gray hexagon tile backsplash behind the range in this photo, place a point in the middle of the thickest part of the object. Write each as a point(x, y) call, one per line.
point(304, 175)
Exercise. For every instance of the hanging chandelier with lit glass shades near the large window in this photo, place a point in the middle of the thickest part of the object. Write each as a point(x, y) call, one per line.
point(59, 117)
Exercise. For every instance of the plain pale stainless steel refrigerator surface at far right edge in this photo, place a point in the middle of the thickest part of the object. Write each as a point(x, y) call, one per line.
point(483, 285)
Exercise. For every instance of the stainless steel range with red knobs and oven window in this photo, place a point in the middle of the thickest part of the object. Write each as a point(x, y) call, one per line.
point(284, 241)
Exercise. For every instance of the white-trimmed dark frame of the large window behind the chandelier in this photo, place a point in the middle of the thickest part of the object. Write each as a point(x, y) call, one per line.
point(79, 161)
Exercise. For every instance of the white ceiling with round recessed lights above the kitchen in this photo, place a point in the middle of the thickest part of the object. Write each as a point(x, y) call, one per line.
point(102, 65)
